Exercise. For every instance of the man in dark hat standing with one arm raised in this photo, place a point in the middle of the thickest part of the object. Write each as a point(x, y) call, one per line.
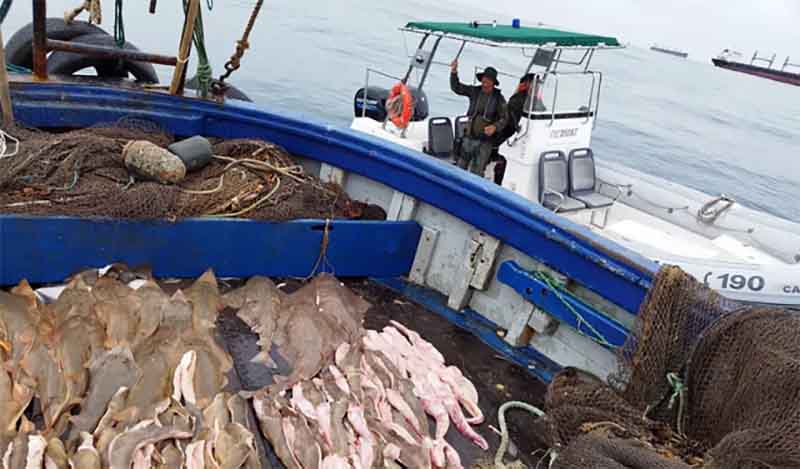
point(487, 116)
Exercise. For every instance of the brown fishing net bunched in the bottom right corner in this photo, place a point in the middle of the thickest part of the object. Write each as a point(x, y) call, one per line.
point(702, 384)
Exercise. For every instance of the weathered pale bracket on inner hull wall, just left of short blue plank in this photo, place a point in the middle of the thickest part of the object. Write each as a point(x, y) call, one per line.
point(475, 272)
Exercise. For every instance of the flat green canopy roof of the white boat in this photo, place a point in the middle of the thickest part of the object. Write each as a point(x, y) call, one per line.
point(508, 35)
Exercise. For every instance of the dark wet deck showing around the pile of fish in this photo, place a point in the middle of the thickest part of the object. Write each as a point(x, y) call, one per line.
point(496, 379)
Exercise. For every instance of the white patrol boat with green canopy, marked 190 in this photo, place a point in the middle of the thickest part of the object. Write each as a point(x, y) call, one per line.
point(745, 254)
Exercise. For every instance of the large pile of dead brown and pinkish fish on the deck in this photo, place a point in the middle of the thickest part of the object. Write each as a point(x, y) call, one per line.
point(117, 372)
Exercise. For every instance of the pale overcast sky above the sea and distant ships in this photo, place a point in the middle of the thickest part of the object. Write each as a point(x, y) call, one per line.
point(701, 27)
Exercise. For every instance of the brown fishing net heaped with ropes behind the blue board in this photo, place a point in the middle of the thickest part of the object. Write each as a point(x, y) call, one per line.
point(82, 173)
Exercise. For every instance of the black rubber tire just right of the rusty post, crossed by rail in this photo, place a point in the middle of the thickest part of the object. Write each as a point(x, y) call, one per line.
point(68, 63)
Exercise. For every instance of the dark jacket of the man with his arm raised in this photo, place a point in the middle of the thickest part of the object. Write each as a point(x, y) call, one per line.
point(484, 110)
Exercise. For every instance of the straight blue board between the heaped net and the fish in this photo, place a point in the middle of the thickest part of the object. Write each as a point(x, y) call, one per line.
point(49, 249)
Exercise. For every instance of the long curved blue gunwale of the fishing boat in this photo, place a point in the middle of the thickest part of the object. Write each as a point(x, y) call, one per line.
point(616, 273)
